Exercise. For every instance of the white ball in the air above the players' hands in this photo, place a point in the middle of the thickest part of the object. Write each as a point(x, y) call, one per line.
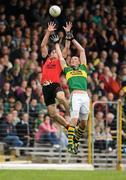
point(54, 11)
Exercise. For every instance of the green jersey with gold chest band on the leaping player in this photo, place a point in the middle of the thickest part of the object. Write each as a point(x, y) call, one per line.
point(76, 77)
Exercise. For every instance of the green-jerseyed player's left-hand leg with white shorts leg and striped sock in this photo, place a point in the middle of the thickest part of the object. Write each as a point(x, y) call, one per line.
point(74, 114)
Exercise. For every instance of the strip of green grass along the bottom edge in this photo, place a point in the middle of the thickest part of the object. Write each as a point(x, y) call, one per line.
point(61, 175)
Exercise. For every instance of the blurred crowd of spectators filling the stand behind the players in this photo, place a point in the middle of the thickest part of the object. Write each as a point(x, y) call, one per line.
point(99, 25)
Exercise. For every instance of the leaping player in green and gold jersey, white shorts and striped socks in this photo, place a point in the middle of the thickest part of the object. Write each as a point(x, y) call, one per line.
point(76, 75)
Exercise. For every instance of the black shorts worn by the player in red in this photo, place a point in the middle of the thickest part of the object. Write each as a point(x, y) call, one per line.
point(50, 92)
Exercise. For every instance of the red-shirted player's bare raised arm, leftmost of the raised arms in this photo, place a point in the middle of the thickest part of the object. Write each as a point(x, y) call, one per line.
point(44, 49)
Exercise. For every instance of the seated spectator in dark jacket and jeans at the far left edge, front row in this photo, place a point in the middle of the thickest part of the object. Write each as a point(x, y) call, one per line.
point(8, 132)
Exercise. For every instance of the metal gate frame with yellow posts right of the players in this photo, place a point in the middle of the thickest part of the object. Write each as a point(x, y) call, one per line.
point(106, 159)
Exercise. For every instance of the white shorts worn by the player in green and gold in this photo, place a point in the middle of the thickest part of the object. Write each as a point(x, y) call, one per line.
point(79, 106)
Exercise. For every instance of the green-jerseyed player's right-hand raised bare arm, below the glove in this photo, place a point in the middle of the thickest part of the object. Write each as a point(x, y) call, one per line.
point(81, 51)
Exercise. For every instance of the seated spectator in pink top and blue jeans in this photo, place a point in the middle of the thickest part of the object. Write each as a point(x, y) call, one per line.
point(47, 132)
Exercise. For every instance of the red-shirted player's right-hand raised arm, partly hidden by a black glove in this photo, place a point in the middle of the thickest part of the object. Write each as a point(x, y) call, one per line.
point(67, 29)
